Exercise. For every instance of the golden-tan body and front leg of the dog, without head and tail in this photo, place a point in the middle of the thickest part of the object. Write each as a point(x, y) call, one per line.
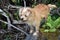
point(37, 13)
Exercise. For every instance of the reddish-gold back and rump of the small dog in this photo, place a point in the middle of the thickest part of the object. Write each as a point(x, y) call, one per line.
point(42, 10)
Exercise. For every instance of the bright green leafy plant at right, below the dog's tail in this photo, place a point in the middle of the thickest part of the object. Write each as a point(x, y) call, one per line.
point(51, 25)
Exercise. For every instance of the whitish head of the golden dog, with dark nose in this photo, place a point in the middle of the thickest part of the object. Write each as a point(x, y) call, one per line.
point(24, 13)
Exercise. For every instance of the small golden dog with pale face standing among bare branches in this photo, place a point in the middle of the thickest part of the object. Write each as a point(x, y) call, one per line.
point(33, 16)
